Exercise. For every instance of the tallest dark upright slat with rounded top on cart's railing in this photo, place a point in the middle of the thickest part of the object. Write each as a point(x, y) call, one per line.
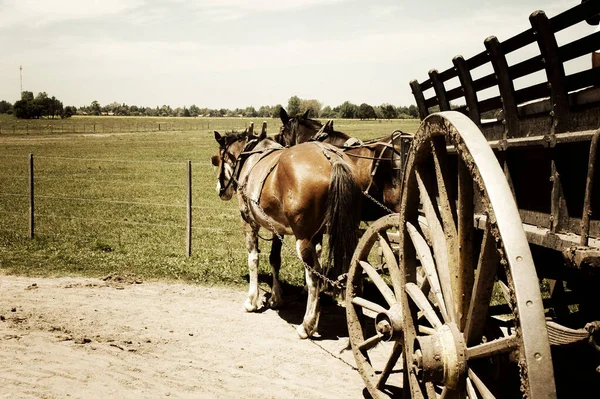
point(555, 71)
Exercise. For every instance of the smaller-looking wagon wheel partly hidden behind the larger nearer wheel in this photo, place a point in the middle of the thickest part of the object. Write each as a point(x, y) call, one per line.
point(373, 310)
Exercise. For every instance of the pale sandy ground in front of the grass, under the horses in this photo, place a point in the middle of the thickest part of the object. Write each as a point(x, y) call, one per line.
point(92, 338)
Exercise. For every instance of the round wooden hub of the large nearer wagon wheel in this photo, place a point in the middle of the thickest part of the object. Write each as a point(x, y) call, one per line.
point(441, 357)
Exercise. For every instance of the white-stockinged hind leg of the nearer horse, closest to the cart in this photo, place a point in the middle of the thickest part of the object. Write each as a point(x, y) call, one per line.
point(306, 251)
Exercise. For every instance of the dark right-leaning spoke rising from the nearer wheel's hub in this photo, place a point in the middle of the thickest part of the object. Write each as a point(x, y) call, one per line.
point(482, 288)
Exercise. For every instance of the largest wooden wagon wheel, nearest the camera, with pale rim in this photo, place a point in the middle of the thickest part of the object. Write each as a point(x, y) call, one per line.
point(449, 351)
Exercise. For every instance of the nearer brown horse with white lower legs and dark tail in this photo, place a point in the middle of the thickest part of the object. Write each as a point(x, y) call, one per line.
point(299, 191)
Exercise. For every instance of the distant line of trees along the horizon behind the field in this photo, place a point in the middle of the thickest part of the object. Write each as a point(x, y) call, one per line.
point(44, 106)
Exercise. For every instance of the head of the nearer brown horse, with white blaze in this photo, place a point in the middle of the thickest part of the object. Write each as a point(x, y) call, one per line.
point(231, 146)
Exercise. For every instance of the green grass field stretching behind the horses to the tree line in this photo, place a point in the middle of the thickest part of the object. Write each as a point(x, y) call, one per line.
point(115, 202)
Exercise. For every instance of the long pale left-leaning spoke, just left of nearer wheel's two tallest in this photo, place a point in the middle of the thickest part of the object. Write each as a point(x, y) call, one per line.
point(438, 241)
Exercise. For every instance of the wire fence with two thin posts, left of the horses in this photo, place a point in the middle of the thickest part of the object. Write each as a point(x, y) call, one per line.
point(50, 200)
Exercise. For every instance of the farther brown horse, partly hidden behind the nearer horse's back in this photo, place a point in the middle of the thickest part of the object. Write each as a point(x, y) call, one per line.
point(378, 161)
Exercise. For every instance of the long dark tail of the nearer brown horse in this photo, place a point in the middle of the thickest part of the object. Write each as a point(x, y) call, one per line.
point(342, 217)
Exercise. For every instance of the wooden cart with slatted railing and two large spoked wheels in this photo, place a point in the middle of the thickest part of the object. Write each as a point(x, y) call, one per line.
point(488, 282)
